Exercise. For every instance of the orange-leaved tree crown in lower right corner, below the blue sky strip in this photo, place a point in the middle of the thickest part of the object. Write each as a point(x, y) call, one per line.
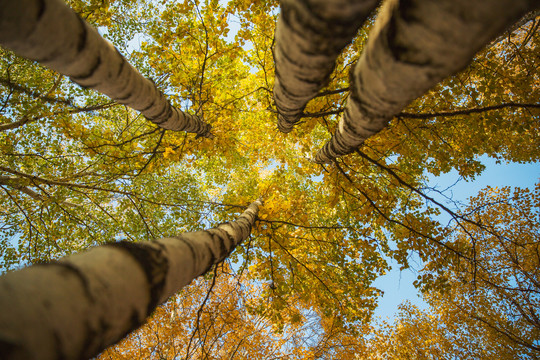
point(492, 302)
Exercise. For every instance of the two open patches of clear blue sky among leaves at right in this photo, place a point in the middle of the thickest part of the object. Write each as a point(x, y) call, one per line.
point(397, 285)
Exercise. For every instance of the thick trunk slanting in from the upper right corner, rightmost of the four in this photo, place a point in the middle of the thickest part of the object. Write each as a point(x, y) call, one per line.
point(414, 45)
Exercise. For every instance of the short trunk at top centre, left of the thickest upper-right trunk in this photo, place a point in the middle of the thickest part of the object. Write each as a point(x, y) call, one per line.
point(310, 35)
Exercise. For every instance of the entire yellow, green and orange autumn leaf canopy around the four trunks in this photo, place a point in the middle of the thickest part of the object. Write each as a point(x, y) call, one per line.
point(79, 170)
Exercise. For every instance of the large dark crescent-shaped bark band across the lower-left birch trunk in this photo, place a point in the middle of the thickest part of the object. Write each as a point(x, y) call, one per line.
point(154, 264)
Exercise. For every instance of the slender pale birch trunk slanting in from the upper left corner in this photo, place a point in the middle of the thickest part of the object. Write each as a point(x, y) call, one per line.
point(49, 32)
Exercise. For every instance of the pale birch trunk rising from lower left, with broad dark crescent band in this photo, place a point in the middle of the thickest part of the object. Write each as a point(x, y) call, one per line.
point(75, 307)
